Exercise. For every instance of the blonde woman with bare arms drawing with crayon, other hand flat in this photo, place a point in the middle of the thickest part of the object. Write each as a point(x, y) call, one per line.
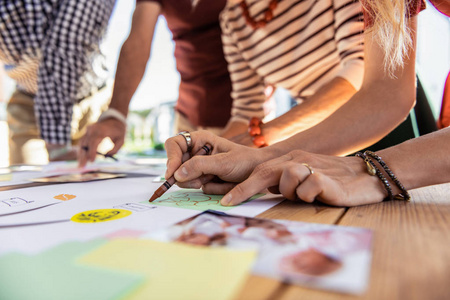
point(341, 181)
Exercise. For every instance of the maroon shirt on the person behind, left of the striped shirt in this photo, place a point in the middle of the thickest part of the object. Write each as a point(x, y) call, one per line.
point(205, 87)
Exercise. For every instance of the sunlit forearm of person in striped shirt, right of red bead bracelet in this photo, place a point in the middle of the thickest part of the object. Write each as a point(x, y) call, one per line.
point(308, 114)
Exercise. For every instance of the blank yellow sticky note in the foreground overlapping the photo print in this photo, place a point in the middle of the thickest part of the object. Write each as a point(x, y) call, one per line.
point(176, 271)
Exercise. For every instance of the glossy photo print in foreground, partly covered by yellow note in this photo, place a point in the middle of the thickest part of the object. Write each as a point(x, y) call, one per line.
point(317, 255)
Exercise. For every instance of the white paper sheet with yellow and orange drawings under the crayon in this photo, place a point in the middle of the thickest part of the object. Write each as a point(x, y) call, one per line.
point(17, 232)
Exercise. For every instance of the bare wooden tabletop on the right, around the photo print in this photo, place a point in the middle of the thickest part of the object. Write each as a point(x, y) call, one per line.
point(411, 247)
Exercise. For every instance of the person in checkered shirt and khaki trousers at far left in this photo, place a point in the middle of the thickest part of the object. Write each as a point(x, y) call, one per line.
point(51, 49)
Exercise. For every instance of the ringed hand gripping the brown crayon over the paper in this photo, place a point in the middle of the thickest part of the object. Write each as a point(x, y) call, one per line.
point(229, 162)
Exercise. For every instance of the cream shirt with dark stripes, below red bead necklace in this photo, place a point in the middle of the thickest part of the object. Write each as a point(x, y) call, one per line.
point(304, 46)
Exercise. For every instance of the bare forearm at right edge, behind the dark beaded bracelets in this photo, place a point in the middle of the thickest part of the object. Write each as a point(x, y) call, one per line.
point(422, 161)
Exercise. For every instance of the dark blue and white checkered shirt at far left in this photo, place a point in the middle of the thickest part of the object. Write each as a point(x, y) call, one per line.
point(51, 49)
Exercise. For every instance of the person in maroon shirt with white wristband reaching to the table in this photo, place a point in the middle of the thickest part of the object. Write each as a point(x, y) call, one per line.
point(204, 100)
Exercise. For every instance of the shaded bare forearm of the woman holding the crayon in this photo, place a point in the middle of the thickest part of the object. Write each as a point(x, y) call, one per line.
point(369, 116)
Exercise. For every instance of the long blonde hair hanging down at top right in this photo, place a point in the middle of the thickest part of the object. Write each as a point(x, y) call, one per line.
point(390, 30)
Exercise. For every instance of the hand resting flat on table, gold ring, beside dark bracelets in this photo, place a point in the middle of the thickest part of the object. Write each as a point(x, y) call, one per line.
point(339, 181)
